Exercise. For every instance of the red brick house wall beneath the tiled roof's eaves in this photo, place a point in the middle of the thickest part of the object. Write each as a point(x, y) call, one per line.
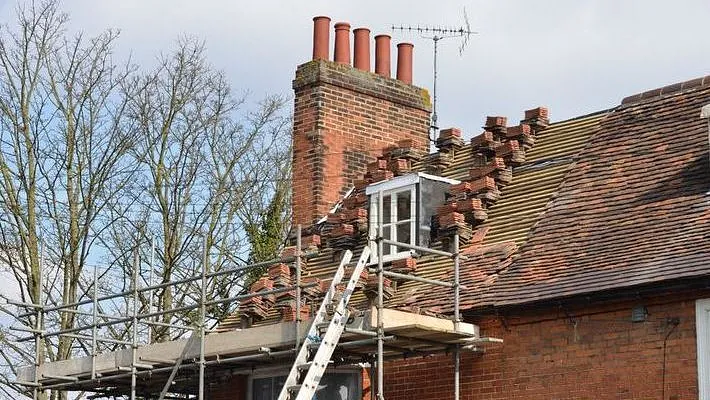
point(592, 353)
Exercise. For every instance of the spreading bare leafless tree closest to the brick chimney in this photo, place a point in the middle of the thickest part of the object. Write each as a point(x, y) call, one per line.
point(206, 164)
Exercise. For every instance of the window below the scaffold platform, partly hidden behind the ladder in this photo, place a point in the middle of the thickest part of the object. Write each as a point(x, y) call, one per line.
point(336, 385)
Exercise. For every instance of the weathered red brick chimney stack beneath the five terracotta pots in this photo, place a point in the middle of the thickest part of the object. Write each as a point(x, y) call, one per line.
point(343, 119)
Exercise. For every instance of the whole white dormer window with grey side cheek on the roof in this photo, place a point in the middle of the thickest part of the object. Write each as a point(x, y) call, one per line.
point(407, 204)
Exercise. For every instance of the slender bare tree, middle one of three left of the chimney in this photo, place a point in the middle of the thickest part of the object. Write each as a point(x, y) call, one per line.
point(88, 159)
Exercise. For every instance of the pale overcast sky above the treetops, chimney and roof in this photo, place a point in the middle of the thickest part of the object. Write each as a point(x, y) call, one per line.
point(575, 57)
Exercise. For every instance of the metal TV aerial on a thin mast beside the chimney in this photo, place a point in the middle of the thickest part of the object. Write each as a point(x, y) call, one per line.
point(436, 34)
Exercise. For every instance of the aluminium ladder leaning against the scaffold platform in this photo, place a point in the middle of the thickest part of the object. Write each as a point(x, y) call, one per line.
point(300, 386)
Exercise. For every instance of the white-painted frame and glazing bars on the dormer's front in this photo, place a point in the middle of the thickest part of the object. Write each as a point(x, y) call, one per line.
point(394, 222)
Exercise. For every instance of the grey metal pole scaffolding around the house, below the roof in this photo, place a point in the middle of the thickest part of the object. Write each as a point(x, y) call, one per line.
point(158, 376)
